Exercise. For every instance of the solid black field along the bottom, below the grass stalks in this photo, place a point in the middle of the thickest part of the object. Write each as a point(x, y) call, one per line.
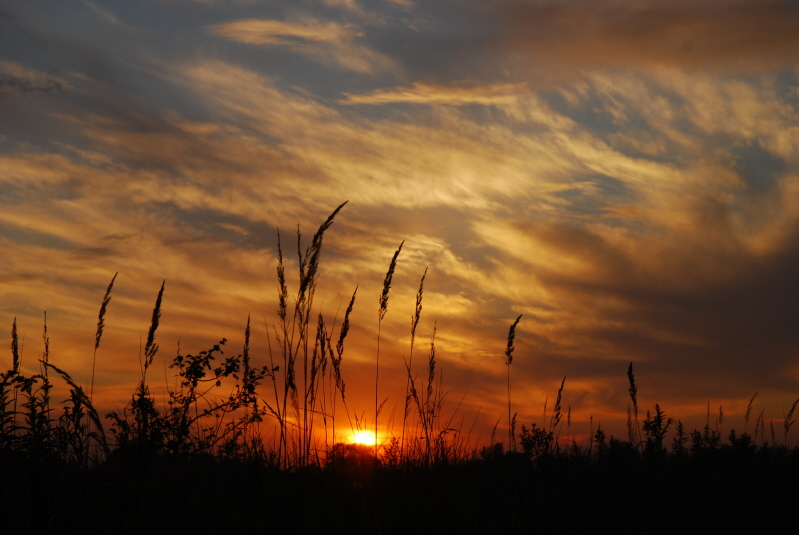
point(616, 491)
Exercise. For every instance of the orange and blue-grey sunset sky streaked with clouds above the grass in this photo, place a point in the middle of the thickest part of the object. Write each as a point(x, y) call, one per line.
point(623, 175)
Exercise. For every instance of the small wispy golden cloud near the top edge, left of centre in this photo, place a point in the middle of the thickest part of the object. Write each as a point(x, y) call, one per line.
point(324, 42)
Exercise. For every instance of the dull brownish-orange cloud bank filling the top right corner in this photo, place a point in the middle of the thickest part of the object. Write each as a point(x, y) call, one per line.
point(742, 36)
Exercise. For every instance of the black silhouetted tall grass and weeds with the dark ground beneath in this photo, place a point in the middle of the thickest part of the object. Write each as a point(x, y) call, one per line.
point(202, 461)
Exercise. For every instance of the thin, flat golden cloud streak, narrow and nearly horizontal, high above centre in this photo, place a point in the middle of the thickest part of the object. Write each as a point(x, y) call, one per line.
point(423, 93)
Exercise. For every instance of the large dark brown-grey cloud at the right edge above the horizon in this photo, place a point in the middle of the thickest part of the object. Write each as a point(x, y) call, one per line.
point(738, 328)
